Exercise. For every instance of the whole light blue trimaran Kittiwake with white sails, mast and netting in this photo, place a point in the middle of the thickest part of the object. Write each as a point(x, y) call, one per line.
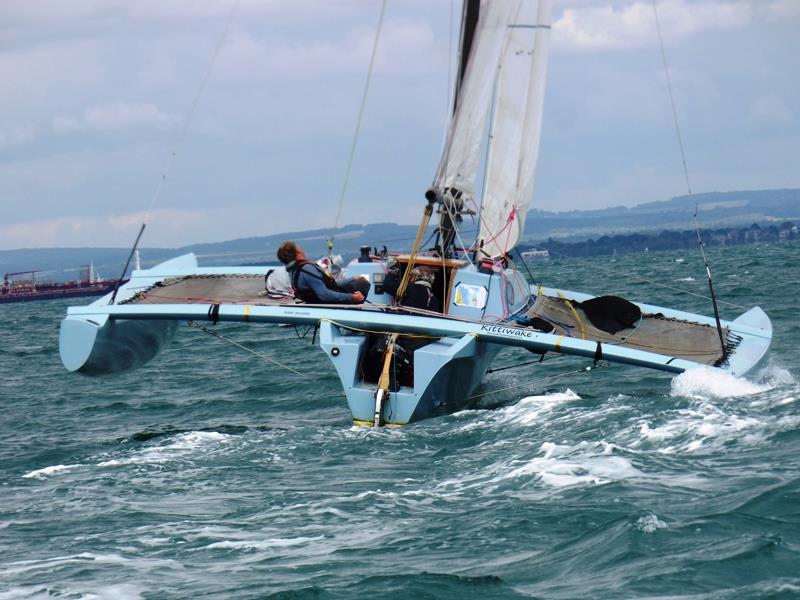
point(487, 304)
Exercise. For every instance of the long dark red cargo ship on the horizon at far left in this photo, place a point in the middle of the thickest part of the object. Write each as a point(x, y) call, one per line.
point(23, 286)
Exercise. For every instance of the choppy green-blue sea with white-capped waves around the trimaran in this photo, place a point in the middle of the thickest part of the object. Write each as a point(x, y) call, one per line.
point(214, 473)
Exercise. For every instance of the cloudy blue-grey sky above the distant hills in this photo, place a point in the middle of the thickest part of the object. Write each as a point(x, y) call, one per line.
point(95, 96)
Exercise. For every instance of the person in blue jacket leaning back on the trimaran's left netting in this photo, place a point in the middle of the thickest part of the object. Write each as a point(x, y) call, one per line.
point(313, 285)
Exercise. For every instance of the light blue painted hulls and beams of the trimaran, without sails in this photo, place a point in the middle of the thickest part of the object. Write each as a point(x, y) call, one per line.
point(105, 338)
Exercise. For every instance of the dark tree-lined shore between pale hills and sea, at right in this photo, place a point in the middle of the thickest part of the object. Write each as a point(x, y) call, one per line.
point(668, 240)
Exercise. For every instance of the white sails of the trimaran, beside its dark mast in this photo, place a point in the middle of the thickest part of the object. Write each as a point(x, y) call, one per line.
point(503, 58)
